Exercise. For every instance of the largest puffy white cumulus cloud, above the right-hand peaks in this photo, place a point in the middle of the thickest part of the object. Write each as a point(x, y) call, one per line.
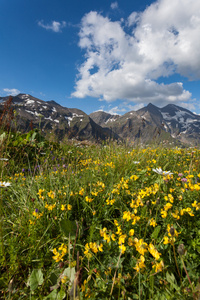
point(127, 60)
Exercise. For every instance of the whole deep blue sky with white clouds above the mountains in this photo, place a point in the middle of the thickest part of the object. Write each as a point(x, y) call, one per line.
point(114, 56)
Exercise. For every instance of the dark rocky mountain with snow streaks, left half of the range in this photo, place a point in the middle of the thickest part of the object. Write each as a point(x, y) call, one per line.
point(55, 121)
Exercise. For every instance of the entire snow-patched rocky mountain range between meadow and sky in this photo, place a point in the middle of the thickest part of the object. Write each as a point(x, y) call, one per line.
point(171, 124)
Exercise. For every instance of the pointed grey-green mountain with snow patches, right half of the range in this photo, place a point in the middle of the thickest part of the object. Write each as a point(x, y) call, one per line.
point(172, 123)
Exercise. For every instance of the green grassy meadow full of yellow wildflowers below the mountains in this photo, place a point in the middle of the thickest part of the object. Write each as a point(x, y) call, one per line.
point(98, 221)
